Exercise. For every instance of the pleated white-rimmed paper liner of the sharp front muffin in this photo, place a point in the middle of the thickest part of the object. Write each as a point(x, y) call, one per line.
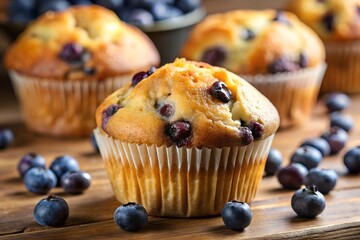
point(183, 182)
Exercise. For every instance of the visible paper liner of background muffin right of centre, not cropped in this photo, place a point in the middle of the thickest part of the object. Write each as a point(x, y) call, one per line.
point(293, 94)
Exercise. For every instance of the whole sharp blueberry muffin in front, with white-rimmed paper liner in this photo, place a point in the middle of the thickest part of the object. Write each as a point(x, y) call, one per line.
point(186, 138)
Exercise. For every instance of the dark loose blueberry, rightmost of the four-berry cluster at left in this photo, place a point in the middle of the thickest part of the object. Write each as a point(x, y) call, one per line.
point(75, 182)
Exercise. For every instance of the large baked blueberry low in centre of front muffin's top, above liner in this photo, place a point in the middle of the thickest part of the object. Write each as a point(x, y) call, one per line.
point(179, 132)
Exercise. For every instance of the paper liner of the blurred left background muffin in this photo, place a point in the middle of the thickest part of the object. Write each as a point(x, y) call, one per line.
point(62, 108)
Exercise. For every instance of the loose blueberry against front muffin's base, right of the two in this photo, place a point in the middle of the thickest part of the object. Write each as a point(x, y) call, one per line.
point(236, 215)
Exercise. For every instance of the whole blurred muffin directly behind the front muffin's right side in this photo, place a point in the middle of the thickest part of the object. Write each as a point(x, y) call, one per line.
point(274, 51)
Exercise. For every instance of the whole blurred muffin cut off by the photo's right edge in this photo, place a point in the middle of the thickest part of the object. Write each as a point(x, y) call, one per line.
point(338, 24)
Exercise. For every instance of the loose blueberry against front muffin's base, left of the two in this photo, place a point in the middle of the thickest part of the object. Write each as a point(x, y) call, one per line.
point(131, 216)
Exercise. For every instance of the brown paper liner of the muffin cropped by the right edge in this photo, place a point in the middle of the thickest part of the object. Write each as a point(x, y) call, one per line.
point(343, 73)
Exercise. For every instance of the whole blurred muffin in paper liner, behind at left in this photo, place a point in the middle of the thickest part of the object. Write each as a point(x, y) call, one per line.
point(65, 63)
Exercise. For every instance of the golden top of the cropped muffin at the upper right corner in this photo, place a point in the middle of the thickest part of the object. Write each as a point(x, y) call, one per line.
point(331, 19)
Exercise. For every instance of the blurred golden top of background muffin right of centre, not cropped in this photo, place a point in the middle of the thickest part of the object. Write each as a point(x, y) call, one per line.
point(255, 42)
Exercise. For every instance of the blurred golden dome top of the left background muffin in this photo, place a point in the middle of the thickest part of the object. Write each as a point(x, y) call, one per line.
point(82, 42)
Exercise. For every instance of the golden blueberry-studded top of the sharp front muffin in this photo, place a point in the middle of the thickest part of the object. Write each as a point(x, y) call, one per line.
point(190, 104)
